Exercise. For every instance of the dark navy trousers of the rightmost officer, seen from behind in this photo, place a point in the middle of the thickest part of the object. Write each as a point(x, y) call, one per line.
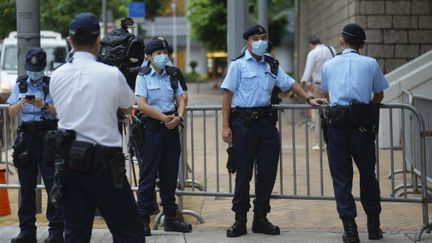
point(344, 146)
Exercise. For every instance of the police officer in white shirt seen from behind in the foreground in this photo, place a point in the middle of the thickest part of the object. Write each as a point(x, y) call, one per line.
point(88, 94)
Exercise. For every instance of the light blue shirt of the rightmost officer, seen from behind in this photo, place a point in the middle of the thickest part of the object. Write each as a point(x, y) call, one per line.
point(352, 77)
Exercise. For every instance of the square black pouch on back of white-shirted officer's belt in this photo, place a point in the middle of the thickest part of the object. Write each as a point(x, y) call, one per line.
point(81, 156)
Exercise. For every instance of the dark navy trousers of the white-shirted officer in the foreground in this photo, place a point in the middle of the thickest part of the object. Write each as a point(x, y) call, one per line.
point(83, 192)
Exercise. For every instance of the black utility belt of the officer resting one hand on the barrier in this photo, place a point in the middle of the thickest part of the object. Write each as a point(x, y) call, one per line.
point(251, 114)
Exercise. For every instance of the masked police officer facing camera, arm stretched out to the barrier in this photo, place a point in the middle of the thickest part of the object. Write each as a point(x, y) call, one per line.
point(250, 127)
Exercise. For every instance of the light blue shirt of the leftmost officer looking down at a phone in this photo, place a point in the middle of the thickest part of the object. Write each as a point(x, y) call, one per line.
point(29, 112)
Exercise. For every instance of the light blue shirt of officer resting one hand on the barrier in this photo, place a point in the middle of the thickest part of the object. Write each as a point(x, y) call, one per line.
point(252, 82)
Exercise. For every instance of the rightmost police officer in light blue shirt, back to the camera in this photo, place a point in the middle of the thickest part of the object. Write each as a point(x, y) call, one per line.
point(354, 83)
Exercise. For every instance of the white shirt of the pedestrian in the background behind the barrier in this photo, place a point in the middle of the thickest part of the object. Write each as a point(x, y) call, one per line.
point(314, 62)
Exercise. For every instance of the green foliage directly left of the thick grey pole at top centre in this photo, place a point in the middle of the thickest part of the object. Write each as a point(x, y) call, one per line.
point(208, 19)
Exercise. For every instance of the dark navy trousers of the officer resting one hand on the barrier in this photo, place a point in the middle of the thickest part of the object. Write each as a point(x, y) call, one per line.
point(258, 141)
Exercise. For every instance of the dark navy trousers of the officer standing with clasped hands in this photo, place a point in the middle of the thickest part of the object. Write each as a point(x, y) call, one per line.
point(160, 157)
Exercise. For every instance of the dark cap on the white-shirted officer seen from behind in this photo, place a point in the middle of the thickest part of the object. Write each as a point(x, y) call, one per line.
point(85, 22)
